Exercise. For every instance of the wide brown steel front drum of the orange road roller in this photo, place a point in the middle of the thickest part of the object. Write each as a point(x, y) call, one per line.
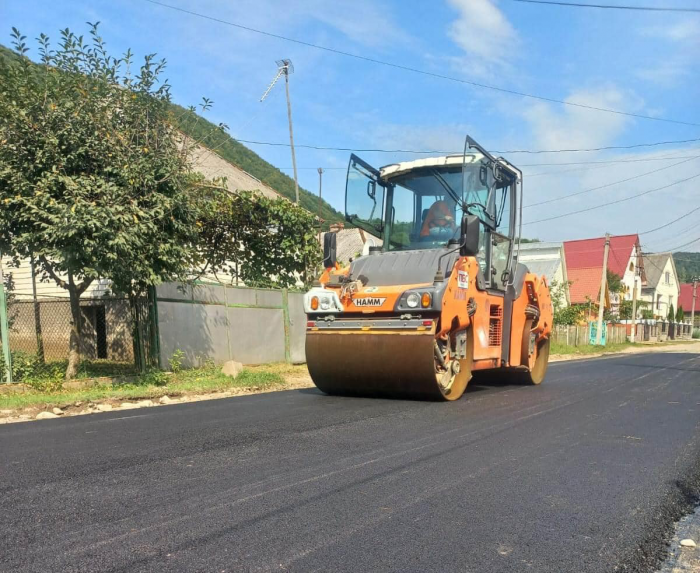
point(373, 364)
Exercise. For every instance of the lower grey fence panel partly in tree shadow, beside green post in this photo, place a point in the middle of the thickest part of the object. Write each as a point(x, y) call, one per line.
point(198, 330)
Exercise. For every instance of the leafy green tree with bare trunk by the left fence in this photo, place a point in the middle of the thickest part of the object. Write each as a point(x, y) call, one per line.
point(93, 178)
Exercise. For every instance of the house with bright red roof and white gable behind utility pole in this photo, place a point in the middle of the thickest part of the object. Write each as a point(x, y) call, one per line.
point(584, 262)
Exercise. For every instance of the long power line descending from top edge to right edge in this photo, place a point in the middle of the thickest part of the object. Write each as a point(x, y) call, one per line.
point(417, 70)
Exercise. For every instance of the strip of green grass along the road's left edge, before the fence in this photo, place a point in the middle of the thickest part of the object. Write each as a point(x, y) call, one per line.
point(149, 386)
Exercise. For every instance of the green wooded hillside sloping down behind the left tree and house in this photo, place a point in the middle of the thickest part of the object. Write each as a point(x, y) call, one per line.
point(229, 149)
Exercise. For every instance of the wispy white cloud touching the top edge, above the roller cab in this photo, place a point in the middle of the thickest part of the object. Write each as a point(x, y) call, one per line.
point(483, 32)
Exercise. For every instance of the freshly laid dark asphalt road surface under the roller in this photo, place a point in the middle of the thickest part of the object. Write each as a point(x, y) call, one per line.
point(584, 473)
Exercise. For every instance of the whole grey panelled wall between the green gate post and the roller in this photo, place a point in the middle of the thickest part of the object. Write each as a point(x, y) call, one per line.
point(218, 323)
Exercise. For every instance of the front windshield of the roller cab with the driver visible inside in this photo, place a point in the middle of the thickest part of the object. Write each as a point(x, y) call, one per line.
point(425, 209)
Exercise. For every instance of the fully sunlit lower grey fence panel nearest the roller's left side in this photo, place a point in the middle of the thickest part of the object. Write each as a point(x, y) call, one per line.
point(257, 335)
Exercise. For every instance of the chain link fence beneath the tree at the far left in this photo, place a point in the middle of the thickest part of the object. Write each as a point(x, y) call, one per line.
point(118, 338)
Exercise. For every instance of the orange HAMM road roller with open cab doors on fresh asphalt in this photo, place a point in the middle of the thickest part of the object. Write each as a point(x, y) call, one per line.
point(443, 297)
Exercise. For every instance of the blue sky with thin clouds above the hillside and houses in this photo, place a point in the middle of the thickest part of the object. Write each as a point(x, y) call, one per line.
point(639, 62)
